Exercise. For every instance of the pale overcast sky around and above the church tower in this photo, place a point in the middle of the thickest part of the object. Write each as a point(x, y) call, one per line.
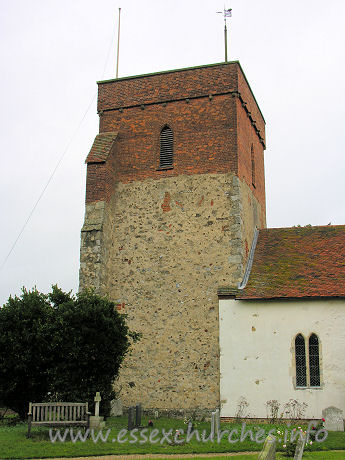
point(54, 51)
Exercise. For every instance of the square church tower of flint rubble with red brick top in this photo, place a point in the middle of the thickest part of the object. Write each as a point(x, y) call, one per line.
point(175, 188)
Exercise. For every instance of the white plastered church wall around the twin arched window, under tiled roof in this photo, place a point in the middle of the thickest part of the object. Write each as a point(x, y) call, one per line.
point(257, 354)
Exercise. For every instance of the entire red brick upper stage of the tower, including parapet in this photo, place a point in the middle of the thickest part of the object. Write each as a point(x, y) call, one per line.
point(211, 110)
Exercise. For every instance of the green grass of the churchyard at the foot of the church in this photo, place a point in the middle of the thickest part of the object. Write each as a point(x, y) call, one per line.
point(14, 444)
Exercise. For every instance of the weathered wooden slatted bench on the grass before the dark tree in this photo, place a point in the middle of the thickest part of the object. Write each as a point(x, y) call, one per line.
point(58, 414)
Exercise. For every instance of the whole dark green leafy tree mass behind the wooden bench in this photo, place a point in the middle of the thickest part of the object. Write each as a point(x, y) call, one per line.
point(60, 347)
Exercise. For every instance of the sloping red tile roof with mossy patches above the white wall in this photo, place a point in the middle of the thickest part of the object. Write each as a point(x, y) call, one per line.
point(297, 262)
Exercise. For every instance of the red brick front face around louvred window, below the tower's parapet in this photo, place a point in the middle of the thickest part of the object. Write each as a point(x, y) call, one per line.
point(204, 138)
